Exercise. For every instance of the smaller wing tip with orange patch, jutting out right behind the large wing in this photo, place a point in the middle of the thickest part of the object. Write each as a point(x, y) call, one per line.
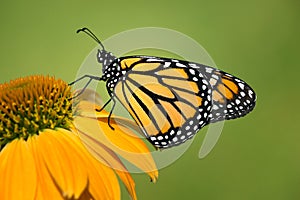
point(232, 97)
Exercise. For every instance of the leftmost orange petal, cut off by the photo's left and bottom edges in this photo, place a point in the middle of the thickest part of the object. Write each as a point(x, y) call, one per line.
point(18, 179)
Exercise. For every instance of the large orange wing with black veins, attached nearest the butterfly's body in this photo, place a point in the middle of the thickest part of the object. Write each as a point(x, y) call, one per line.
point(168, 102)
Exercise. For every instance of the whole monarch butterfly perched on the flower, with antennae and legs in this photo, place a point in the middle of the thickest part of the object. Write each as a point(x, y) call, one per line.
point(171, 99)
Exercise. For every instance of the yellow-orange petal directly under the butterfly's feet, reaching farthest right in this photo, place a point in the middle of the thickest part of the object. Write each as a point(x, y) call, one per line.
point(122, 141)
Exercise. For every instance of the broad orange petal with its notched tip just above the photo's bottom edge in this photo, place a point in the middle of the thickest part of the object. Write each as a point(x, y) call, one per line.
point(63, 161)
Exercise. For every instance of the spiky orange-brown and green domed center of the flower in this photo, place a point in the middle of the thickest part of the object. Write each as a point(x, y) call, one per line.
point(32, 104)
